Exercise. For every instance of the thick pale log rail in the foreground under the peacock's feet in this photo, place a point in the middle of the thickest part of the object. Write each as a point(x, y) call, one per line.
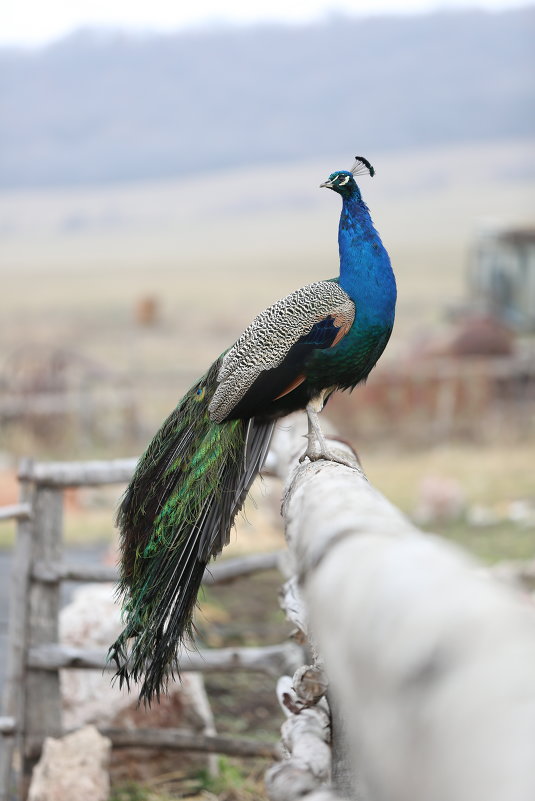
point(430, 659)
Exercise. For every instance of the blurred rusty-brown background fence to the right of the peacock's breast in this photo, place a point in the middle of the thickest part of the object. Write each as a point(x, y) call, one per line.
point(425, 401)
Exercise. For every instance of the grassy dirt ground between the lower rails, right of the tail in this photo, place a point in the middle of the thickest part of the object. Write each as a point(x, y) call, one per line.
point(244, 705)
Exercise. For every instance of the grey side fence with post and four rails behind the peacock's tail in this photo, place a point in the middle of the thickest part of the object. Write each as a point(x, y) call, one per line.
point(31, 697)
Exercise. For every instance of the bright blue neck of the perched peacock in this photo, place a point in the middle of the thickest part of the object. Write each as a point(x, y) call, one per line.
point(365, 271)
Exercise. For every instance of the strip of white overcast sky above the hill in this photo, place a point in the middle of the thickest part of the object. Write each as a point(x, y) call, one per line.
point(35, 22)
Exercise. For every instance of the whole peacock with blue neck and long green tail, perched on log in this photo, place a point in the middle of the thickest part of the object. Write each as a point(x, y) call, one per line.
point(188, 486)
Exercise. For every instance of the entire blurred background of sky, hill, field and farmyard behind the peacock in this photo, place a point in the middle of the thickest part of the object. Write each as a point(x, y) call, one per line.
point(159, 174)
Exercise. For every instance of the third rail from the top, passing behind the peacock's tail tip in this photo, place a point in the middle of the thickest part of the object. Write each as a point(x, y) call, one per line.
point(271, 659)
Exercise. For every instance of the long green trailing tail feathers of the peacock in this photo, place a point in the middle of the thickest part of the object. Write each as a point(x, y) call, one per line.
point(176, 514)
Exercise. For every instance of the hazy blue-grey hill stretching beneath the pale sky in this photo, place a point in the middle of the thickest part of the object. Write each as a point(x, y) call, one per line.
point(98, 107)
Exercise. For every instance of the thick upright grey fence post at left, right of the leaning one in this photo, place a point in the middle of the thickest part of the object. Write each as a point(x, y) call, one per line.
point(42, 708)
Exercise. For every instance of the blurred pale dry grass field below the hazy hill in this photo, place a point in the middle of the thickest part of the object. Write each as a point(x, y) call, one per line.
point(215, 249)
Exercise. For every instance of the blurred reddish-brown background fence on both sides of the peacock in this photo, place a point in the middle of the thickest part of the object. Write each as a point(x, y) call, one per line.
point(420, 401)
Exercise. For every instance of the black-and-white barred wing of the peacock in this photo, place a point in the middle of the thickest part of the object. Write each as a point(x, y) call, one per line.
point(316, 316)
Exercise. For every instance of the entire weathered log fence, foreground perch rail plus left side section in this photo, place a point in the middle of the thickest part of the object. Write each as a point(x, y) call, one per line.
point(430, 693)
